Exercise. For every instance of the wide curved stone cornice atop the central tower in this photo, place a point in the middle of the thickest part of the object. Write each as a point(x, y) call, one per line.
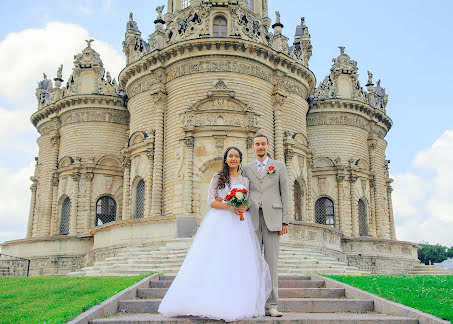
point(219, 46)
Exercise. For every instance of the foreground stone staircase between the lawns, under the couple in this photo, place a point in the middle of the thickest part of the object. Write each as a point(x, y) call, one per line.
point(302, 300)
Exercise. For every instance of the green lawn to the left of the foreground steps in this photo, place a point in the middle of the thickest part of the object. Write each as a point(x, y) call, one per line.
point(55, 299)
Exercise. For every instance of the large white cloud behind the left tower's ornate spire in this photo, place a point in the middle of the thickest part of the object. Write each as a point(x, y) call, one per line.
point(25, 55)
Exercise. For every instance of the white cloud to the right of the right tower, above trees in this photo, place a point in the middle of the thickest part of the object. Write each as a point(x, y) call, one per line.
point(423, 204)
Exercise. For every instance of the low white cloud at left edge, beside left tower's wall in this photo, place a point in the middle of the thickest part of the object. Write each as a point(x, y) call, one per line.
point(15, 198)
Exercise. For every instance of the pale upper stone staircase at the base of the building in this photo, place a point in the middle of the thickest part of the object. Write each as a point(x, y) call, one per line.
point(168, 258)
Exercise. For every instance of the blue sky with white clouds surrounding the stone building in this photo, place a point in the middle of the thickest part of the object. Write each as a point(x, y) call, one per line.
point(404, 43)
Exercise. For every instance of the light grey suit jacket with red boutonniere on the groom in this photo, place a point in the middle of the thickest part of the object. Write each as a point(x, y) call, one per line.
point(272, 190)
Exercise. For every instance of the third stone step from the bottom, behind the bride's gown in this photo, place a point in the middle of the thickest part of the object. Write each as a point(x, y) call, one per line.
point(147, 293)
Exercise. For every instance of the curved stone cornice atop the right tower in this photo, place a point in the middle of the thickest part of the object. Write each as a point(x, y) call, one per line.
point(353, 106)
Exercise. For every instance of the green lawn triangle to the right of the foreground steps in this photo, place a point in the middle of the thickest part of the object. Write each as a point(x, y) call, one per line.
point(429, 294)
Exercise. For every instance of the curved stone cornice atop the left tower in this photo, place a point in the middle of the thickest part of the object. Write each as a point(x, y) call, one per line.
point(77, 101)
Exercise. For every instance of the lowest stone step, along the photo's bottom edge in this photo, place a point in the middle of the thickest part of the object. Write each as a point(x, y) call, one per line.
point(288, 318)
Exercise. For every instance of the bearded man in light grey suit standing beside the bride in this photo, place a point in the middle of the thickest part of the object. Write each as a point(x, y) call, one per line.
point(268, 205)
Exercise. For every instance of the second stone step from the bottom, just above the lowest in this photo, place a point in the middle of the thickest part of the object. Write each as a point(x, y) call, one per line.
point(303, 305)
